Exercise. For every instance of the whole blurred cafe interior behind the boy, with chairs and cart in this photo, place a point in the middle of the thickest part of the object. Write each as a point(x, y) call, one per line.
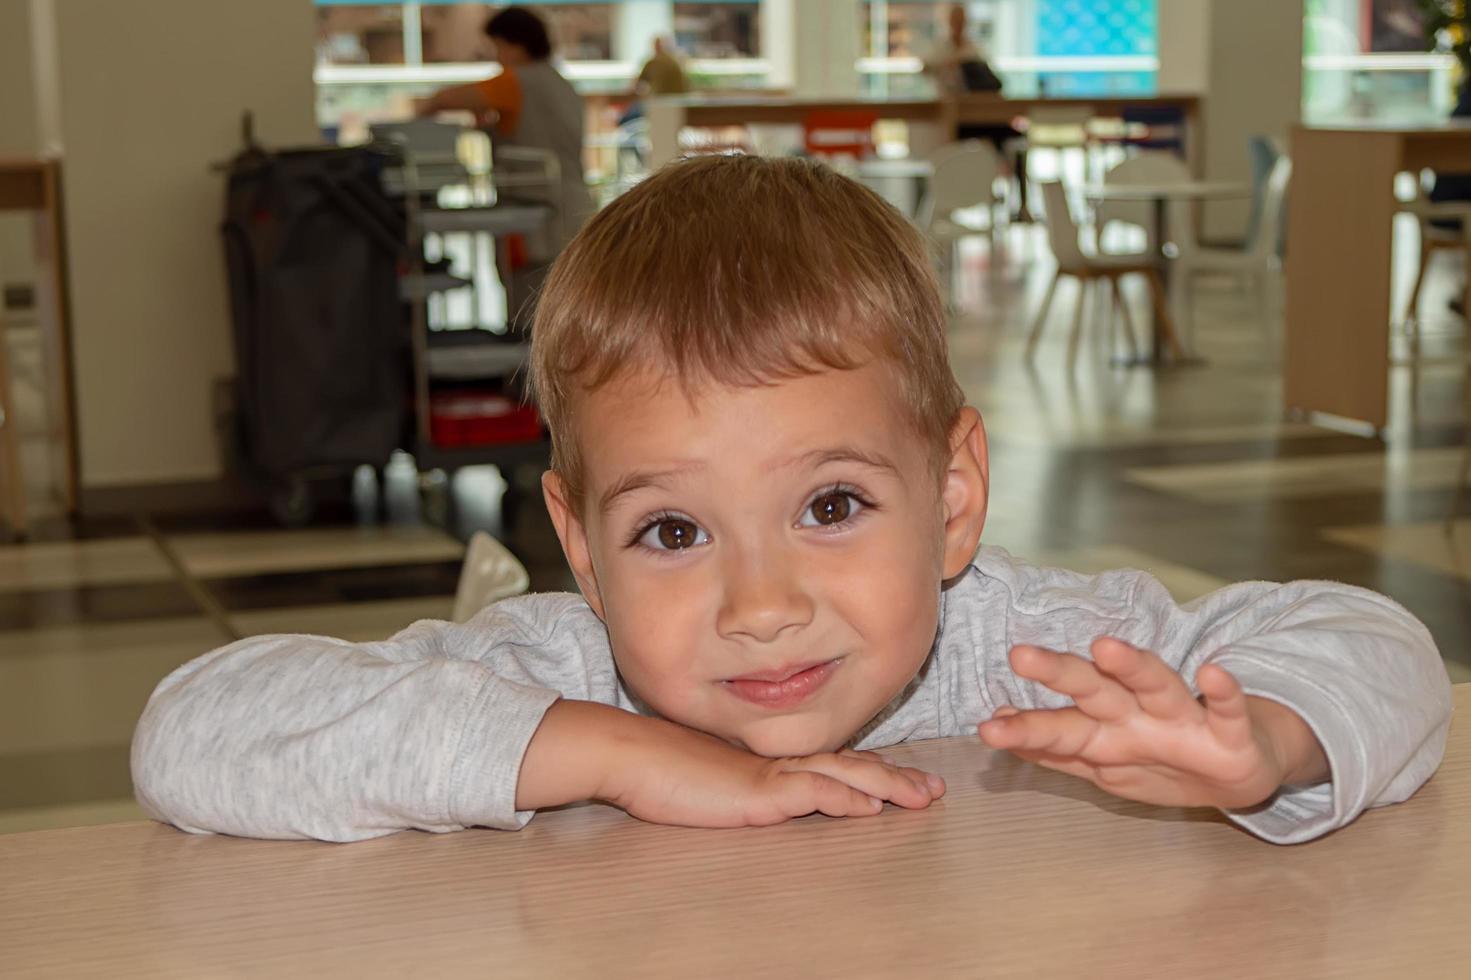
point(268, 273)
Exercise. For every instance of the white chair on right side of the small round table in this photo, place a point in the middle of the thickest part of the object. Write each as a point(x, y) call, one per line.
point(1258, 266)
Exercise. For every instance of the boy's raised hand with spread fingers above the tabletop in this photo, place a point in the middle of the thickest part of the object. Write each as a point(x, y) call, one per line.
point(1138, 732)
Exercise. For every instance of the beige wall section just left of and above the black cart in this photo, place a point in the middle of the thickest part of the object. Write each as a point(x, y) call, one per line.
point(149, 93)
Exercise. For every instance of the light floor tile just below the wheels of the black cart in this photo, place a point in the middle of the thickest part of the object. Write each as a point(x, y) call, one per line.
point(258, 553)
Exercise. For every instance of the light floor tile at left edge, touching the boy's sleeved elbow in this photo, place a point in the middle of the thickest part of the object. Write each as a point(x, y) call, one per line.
point(80, 688)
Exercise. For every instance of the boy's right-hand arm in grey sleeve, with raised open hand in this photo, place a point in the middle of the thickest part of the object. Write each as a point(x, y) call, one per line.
point(1338, 682)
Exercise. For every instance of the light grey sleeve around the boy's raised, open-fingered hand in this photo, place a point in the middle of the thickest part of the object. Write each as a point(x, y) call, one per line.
point(1357, 667)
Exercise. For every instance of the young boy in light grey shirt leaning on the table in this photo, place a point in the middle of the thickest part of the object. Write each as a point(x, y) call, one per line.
point(772, 495)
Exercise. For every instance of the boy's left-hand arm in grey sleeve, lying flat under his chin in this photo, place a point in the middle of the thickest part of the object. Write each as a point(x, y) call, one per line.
point(452, 726)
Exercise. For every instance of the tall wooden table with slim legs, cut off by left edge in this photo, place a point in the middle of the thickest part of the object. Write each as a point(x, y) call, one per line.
point(36, 186)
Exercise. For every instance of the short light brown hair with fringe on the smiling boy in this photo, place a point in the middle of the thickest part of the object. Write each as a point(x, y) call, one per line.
point(741, 270)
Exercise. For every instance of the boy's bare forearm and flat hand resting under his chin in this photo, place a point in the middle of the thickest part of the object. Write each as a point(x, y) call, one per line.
point(670, 775)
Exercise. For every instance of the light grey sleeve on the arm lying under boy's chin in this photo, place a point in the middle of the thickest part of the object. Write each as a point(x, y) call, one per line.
point(302, 736)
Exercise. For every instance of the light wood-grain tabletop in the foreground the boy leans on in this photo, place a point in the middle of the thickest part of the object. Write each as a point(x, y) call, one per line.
point(1017, 873)
